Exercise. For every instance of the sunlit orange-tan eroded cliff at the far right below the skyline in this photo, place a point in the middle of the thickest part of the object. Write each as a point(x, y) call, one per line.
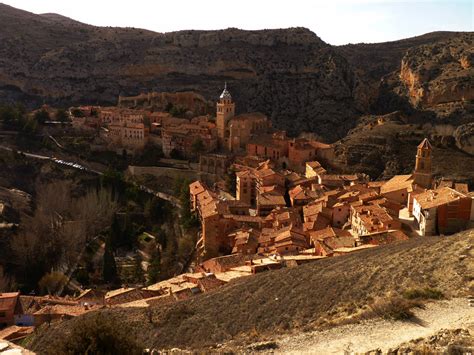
point(439, 73)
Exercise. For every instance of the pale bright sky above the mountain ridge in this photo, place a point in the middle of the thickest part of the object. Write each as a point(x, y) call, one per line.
point(334, 21)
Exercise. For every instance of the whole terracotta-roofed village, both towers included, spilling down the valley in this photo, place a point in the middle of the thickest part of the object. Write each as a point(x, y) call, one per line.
point(263, 200)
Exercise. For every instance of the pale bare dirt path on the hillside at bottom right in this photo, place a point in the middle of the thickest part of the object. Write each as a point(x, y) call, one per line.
point(381, 334)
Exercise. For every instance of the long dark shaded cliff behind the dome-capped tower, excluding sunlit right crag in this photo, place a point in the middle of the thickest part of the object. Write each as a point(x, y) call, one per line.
point(291, 75)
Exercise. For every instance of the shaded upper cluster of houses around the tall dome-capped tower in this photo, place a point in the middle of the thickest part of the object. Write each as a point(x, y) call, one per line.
point(249, 133)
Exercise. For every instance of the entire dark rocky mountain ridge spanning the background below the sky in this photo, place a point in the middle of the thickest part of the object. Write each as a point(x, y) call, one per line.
point(301, 82)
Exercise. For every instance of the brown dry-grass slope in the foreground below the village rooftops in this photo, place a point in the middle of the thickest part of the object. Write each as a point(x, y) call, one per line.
point(300, 298)
